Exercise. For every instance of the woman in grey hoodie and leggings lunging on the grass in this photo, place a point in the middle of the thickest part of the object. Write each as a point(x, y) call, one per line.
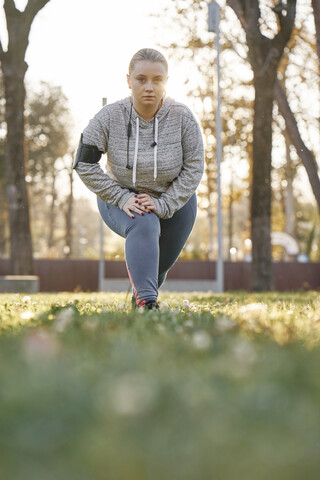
point(155, 163)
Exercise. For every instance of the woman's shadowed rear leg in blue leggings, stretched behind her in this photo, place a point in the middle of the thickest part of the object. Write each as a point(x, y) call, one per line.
point(174, 234)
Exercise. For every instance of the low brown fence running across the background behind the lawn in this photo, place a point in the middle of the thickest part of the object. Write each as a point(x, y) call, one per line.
point(70, 275)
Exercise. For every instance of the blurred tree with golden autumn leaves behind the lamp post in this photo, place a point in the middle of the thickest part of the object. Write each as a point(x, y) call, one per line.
point(193, 48)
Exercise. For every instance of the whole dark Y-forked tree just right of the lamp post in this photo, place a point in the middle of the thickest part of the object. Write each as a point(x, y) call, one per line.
point(264, 55)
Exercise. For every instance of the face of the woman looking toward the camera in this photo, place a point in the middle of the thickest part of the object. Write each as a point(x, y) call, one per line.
point(147, 82)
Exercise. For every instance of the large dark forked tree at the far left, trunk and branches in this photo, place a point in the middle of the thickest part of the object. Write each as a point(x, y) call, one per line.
point(14, 69)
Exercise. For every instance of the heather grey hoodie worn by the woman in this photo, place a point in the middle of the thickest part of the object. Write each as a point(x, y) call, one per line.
point(170, 171)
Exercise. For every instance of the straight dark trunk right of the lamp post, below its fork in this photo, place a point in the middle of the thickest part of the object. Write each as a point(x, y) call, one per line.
point(261, 185)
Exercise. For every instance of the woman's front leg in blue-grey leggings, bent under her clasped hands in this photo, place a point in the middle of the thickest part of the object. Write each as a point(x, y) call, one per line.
point(141, 248)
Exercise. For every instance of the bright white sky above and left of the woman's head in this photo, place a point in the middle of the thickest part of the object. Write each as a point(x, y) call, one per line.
point(85, 46)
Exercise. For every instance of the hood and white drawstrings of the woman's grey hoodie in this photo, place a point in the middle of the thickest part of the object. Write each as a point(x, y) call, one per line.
point(142, 123)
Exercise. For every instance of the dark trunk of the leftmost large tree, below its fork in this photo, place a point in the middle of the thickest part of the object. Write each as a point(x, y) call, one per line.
point(17, 197)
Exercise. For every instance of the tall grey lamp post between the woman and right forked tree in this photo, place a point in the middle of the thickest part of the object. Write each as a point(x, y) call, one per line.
point(213, 26)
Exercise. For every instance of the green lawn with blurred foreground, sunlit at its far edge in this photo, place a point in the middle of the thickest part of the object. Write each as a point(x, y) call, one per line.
point(210, 387)
